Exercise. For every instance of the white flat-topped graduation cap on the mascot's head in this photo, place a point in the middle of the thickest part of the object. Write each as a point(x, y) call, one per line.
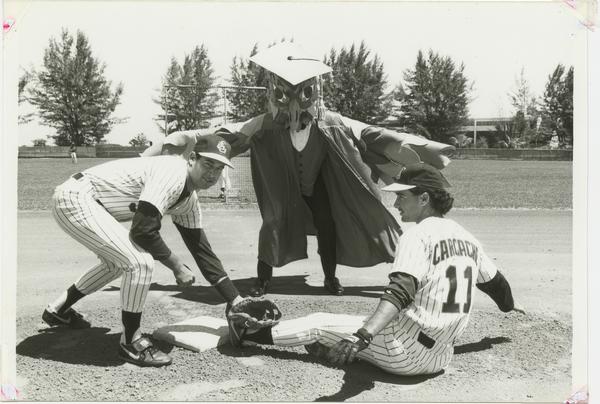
point(290, 62)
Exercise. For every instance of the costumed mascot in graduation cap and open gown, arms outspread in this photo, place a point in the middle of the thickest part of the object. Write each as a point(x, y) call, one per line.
point(316, 172)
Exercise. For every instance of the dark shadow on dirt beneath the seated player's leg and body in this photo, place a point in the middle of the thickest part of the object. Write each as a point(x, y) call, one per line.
point(358, 377)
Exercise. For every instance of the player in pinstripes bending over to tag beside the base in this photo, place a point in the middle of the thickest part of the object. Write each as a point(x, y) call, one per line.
point(89, 207)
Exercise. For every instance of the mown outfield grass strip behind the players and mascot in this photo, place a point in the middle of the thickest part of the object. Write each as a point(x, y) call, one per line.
point(476, 183)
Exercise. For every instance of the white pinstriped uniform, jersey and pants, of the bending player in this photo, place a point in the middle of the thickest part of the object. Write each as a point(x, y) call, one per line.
point(90, 207)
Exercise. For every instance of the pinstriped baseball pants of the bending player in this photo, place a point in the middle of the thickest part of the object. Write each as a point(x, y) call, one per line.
point(79, 215)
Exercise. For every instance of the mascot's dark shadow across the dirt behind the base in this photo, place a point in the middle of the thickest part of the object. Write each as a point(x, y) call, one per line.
point(282, 285)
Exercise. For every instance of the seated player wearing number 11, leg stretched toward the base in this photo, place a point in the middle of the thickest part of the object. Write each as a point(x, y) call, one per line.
point(425, 307)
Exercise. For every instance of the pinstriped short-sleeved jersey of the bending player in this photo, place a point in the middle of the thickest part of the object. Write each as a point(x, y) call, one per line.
point(121, 184)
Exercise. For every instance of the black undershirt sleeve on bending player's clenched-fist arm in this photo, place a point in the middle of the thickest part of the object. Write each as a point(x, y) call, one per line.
point(145, 231)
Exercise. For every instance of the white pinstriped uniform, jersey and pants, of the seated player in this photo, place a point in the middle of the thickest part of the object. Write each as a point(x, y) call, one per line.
point(444, 258)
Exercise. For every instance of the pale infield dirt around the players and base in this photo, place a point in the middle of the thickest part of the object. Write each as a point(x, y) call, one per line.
point(500, 357)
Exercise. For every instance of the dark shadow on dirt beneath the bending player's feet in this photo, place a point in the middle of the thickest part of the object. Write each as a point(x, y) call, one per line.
point(90, 346)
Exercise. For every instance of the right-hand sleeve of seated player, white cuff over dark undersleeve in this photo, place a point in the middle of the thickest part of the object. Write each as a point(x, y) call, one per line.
point(493, 283)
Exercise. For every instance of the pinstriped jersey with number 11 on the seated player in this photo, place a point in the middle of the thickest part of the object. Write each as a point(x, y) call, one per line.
point(446, 260)
